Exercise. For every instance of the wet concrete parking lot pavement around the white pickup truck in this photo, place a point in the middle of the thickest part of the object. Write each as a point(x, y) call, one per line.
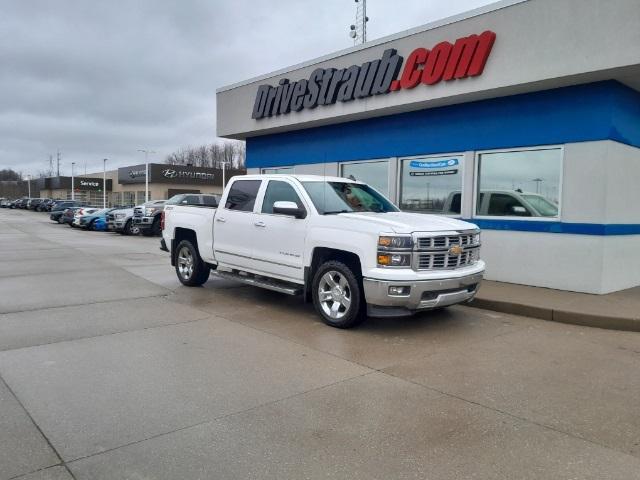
point(112, 370)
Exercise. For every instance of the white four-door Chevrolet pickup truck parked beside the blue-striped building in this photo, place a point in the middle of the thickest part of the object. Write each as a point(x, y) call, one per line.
point(337, 242)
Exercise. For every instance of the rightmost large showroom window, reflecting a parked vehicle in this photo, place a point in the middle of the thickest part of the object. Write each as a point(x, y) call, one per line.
point(523, 183)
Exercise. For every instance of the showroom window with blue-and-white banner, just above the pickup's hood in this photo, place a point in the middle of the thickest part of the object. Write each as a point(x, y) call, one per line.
point(431, 184)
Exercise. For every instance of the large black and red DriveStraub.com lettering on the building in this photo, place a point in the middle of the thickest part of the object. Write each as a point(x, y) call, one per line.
point(446, 61)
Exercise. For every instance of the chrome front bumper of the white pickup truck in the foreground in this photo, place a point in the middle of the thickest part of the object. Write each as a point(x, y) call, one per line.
point(422, 295)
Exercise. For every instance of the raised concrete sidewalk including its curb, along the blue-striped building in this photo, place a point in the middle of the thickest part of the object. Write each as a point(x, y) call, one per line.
point(616, 311)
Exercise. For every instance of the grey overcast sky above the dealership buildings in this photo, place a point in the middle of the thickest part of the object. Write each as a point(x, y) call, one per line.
point(103, 79)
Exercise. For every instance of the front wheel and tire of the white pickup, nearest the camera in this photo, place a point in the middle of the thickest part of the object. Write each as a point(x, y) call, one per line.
point(337, 295)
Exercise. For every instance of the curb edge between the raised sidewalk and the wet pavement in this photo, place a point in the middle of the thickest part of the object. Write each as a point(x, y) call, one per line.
point(561, 316)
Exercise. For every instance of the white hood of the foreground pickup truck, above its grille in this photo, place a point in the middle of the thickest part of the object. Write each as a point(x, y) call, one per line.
point(403, 222)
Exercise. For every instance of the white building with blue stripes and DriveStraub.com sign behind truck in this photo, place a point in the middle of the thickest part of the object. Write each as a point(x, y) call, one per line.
point(522, 117)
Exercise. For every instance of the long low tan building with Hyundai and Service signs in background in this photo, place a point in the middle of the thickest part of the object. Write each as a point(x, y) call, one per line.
point(126, 185)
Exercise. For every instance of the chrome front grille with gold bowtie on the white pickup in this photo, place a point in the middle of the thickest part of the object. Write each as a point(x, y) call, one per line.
point(447, 251)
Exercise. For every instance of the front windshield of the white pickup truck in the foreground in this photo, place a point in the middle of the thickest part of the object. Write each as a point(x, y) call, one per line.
point(342, 197)
